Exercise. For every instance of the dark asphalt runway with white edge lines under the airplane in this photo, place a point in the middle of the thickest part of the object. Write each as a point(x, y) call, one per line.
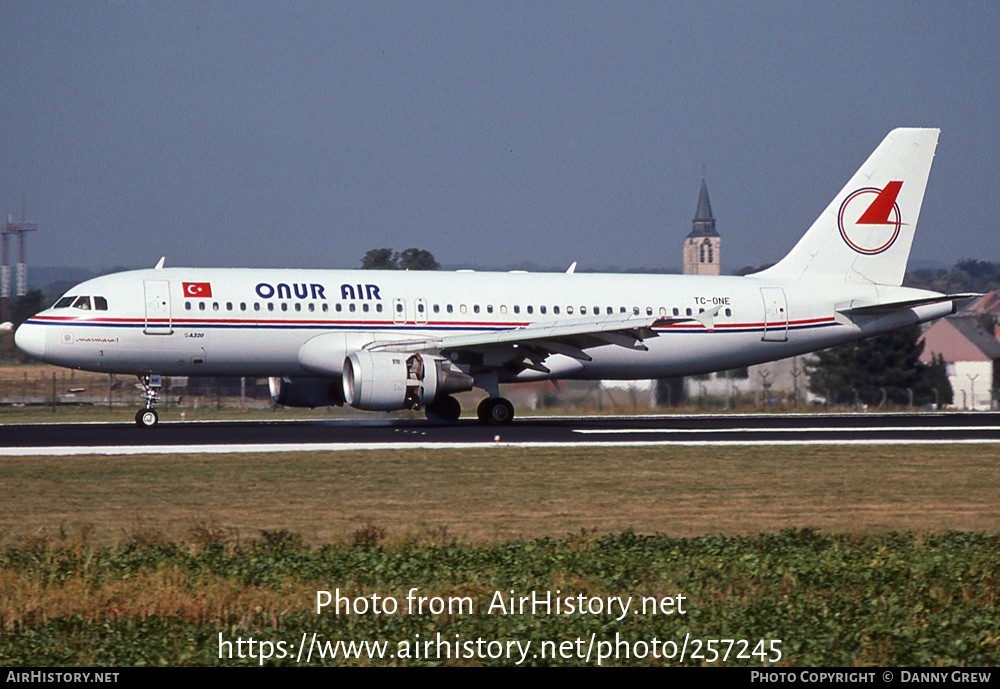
point(387, 434)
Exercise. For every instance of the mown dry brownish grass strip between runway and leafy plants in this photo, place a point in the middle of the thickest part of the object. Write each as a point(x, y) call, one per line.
point(494, 495)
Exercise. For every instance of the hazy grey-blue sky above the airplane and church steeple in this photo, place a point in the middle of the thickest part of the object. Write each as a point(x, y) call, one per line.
point(300, 134)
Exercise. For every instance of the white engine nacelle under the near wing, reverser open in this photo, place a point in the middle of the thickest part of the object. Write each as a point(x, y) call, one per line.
point(388, 381)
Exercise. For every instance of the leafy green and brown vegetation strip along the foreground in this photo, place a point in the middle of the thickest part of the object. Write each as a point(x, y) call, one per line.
point(894, 599)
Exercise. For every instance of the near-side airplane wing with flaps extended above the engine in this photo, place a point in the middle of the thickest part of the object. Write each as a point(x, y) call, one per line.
point(533, 343)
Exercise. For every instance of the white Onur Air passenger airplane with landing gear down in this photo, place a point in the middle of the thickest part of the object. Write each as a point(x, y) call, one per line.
point(392, 340)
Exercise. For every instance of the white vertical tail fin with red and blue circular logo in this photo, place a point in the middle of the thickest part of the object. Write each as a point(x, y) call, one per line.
point(865, 234)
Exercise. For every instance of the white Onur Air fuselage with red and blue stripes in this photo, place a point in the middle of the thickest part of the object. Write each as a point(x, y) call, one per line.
point(256, 321)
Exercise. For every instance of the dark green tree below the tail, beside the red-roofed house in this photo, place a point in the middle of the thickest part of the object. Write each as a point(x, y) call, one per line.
point(889, 363)
